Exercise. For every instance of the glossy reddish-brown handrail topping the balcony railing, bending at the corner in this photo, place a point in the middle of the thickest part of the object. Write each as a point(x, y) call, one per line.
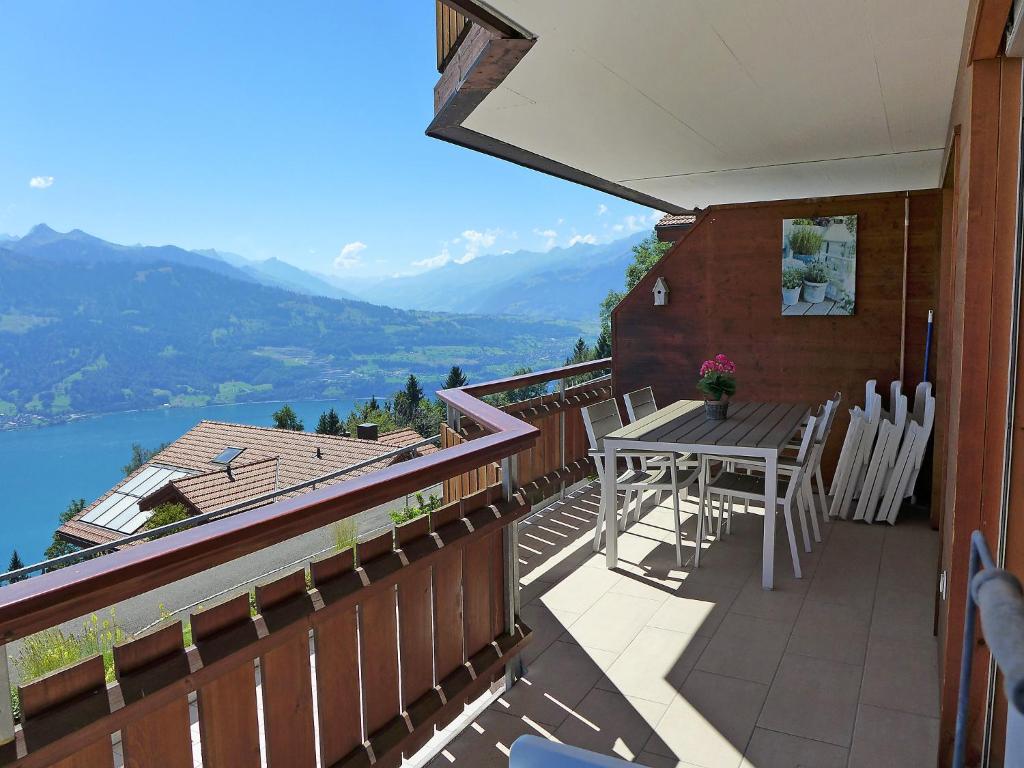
point(50, 600)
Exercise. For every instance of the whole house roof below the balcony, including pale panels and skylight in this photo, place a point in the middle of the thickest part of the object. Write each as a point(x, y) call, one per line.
point(217, 465)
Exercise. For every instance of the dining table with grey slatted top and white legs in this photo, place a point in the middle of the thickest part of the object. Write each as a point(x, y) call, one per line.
point(753, 431)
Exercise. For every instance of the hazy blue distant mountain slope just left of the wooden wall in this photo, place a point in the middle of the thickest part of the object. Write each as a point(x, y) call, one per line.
point(561, 284)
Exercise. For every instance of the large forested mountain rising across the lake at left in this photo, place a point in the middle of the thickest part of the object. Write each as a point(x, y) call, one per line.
point(90, 327)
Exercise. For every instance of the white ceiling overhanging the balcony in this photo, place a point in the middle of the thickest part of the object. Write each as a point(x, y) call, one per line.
point(704, 102)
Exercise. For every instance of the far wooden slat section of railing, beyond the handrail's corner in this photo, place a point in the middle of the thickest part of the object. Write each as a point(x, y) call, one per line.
point(542, 468)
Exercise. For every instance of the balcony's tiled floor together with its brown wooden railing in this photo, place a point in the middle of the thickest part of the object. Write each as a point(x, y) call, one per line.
point(363, 658)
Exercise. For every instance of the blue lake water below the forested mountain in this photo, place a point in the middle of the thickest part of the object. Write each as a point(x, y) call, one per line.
point(44, 470)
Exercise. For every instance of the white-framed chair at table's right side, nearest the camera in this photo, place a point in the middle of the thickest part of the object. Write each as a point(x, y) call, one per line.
point(752, 488)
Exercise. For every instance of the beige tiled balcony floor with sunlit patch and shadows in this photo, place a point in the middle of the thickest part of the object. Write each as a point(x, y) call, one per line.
point(703, 668)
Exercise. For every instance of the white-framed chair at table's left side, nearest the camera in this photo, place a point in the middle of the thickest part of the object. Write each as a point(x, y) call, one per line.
point(603, 419)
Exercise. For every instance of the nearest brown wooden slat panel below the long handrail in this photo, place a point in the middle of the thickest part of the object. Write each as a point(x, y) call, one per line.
point(391, 639)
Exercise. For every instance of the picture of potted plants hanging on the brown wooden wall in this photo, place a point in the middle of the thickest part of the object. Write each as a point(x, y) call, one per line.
point(820, 266)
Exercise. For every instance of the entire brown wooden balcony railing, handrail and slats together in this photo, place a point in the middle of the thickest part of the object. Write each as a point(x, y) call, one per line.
point(440, 593)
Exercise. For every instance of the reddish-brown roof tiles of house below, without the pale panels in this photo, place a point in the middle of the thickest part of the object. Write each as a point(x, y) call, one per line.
point(272, 459)
